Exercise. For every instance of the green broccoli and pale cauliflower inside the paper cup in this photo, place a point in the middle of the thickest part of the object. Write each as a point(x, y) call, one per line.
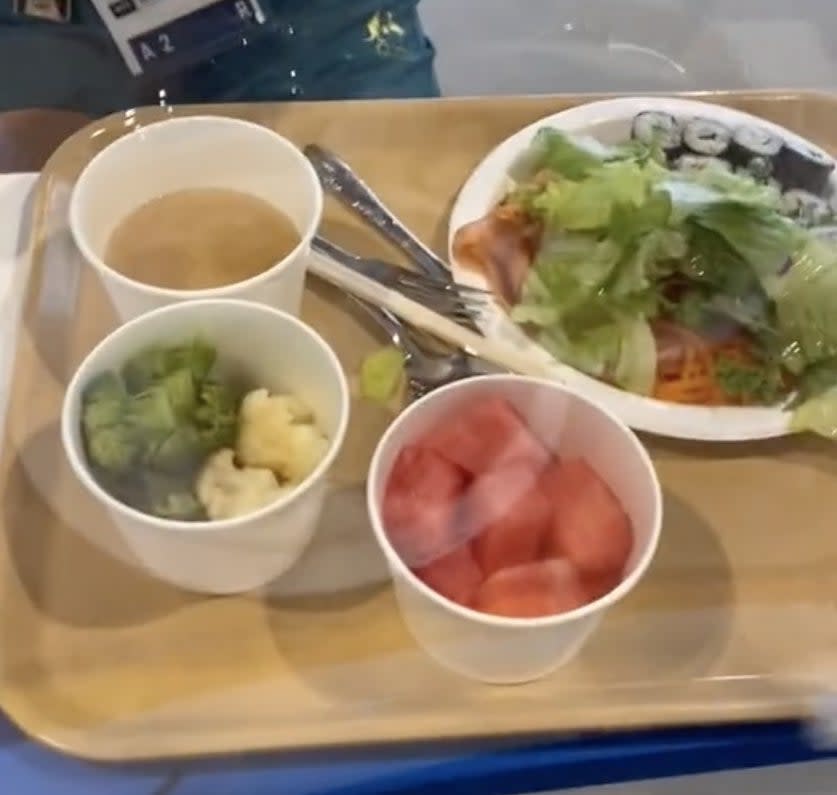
point(165, 436)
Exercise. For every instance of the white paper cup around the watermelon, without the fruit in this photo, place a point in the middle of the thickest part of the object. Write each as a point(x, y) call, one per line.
point(505, 650)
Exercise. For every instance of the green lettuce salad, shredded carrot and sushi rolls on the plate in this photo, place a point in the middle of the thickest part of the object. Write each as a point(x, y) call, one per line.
point(672, 265)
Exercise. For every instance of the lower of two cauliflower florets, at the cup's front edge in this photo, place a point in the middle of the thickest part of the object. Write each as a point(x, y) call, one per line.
point(227, 491)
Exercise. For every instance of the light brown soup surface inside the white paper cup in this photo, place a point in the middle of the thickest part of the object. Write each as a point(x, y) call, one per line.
point(202, 238)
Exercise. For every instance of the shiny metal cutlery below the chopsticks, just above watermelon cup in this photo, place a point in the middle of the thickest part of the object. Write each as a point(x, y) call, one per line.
point(426, 371)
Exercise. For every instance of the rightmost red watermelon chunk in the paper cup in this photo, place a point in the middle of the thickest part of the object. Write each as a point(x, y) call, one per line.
point(590, 526)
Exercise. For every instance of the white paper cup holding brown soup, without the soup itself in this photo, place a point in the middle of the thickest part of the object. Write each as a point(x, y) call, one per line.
point(187, 153)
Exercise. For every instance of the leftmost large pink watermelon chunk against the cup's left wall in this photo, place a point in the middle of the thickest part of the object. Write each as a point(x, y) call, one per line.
point(421, 501)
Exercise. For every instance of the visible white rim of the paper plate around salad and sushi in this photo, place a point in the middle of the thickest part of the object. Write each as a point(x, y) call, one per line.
point(609, 121)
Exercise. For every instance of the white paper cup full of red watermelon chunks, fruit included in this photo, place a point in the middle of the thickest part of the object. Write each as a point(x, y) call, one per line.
point(513, 514)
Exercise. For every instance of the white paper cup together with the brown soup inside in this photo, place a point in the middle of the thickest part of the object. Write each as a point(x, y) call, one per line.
point(198, 207)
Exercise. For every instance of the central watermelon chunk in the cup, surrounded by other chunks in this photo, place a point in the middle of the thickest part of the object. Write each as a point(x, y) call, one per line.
point(508, 516)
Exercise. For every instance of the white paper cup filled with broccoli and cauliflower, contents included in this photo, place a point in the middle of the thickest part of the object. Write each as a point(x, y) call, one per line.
point(207, 430)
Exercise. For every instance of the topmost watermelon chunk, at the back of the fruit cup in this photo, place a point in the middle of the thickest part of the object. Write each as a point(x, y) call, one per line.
point(484, 435)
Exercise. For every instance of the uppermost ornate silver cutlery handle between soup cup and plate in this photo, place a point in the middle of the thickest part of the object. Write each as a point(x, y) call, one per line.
point(340, 181)
